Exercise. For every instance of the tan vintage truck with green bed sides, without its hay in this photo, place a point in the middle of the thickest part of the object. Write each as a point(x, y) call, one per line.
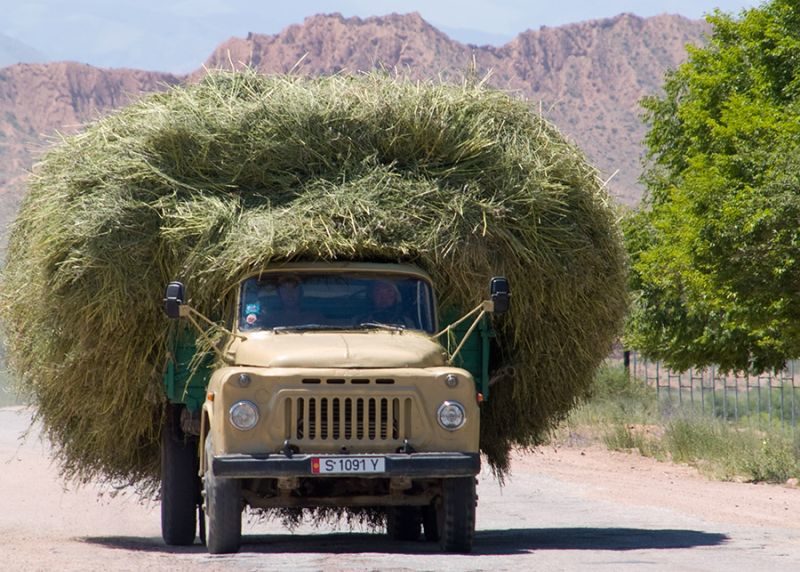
point(330, 384)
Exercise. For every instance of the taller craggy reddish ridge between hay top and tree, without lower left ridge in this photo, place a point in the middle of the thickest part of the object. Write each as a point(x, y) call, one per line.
point(588, 77)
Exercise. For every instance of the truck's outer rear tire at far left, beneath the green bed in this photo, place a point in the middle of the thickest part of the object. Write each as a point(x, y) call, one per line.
point(180, 484)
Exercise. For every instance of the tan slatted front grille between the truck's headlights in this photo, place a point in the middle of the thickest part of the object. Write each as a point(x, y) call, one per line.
point(354, 419)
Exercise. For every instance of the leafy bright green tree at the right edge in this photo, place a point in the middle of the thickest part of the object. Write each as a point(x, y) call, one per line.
point(715, 253)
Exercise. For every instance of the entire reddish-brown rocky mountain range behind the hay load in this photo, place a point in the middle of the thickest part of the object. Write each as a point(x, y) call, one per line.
point(587, 78)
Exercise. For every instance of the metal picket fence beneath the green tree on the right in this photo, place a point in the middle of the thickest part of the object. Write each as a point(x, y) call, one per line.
point(768, 398)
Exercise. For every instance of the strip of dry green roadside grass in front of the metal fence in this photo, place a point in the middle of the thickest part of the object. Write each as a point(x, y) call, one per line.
point(625, 415)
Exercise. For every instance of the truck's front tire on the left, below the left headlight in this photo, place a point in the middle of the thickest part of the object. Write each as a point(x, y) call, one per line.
point(223, 510)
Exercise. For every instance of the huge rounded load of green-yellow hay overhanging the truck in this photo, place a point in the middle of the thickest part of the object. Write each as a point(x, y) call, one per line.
point(208, 182)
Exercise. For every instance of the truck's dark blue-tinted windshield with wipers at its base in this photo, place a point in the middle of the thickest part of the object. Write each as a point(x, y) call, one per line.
point(340, 301)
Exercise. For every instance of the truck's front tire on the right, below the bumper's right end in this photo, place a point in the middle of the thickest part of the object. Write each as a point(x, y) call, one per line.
point(456, 514)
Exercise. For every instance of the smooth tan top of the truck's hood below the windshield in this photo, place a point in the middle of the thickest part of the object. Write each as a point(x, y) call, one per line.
point(336, 350)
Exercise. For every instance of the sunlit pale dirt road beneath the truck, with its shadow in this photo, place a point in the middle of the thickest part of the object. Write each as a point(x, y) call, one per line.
point(565, 509)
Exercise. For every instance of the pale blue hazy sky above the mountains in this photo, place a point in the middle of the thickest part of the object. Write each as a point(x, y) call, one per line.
point(178, 35)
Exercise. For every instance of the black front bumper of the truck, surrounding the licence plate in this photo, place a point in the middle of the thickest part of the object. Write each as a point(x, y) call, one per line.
point(414, 465)
